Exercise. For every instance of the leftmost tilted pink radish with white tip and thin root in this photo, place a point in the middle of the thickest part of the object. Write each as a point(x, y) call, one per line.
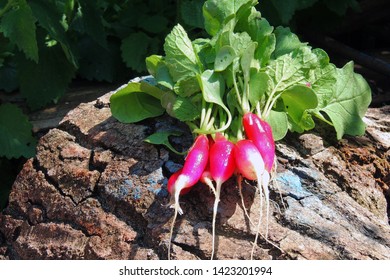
point(194, 166)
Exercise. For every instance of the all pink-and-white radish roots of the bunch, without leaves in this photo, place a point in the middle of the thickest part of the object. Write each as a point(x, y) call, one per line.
point(214, 161)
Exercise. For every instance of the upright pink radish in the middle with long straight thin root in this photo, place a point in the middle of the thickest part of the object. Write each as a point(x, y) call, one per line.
point(222, 167)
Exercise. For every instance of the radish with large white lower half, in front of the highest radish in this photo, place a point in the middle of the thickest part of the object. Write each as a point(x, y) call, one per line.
point(251, 166)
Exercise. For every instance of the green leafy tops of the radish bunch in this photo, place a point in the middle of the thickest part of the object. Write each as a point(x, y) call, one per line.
point(247, 65)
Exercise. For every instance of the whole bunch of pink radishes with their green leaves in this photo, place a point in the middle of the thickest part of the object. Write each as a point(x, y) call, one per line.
point(240, 89)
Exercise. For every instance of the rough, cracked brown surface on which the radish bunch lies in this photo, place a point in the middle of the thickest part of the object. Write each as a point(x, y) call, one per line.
point(96, 190)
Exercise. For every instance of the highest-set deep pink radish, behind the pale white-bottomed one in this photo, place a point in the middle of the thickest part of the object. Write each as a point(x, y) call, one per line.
point(260, 133)
